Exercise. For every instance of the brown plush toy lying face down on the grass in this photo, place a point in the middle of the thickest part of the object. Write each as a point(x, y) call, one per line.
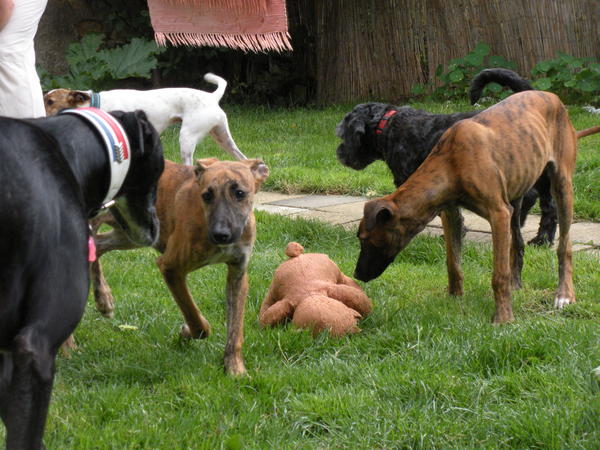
point(312, 291)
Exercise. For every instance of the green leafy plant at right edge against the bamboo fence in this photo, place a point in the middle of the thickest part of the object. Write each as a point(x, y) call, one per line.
point(573, 79)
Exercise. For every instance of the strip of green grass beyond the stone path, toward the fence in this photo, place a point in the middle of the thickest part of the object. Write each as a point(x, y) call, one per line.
point(299, 146)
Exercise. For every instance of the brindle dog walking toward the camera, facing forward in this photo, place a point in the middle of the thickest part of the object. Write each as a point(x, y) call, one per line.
point(206, 217)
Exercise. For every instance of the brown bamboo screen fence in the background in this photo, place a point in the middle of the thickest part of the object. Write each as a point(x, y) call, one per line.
point(378, 49)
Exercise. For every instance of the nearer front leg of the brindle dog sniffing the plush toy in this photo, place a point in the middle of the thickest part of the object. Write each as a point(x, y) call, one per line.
point(500, 220)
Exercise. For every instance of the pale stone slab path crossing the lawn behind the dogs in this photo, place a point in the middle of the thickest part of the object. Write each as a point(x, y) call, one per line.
point(347, 211)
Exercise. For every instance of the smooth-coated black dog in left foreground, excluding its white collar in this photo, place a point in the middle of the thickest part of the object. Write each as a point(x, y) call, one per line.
point(55, 175)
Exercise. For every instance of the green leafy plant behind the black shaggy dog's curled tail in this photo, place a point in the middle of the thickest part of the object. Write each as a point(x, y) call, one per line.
point(457, 76)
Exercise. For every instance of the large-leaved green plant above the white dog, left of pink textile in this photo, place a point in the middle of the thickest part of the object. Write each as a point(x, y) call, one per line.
point(92, 66)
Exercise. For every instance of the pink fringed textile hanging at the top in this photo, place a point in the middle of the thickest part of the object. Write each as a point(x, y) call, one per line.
point(249, 25)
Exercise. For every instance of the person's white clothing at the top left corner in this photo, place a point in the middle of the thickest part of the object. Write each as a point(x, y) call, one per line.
point(20, 90)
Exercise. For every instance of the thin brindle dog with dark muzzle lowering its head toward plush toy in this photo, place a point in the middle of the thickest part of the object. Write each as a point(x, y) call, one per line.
point(485, 164)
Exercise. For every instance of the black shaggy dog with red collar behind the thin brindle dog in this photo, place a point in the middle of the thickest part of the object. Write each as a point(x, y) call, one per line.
point(403, 137)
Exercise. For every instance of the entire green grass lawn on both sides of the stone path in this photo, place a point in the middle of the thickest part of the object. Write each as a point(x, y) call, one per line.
point(427, 371)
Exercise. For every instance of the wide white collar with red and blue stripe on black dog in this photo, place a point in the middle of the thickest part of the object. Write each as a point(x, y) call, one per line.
point(116, 144)
